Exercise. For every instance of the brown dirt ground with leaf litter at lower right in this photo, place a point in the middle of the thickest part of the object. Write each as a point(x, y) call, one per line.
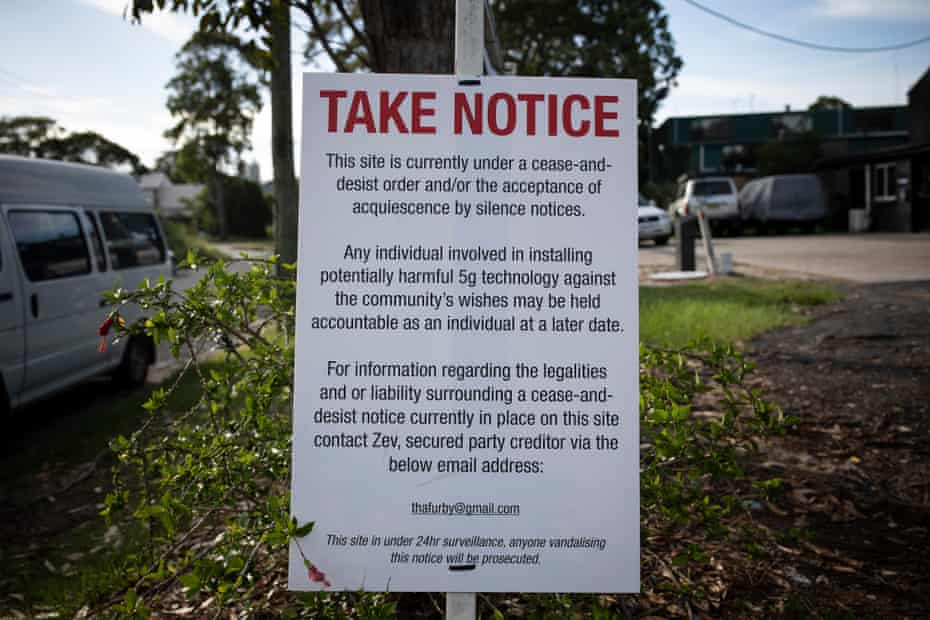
point(857, 463)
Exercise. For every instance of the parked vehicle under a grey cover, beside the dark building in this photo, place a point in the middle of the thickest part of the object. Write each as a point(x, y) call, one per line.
point(784, 200)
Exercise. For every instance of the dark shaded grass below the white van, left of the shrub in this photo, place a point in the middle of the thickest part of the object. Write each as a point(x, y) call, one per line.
point(68, 548)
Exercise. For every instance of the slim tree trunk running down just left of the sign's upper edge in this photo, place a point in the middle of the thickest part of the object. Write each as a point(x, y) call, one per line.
point(282, 137)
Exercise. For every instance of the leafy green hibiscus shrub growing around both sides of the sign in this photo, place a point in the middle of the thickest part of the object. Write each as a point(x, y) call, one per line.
point(209, 486)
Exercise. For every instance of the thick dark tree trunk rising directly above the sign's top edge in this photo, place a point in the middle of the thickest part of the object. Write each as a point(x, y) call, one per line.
point(410, 36)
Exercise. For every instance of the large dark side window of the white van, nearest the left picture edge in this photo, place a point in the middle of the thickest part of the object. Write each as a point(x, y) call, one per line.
point(50, 243)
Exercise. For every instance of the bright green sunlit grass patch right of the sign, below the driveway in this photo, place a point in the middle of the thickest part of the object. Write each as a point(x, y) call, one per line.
point(725, 310)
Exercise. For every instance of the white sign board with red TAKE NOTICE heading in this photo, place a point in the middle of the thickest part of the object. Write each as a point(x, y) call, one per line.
point(466, 390)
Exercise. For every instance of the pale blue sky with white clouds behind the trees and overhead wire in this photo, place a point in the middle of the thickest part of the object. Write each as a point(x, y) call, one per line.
point(81, 63)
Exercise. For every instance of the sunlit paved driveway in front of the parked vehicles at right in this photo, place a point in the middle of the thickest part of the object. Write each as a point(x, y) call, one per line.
point(876, 257)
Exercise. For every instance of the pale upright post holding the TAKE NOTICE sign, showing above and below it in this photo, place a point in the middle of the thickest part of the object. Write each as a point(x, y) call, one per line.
point(469, 63)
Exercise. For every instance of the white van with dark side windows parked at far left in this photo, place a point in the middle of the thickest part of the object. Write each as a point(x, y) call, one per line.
point(68, 234)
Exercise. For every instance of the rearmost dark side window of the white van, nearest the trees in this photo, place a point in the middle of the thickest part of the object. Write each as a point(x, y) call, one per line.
point(133, 239)
